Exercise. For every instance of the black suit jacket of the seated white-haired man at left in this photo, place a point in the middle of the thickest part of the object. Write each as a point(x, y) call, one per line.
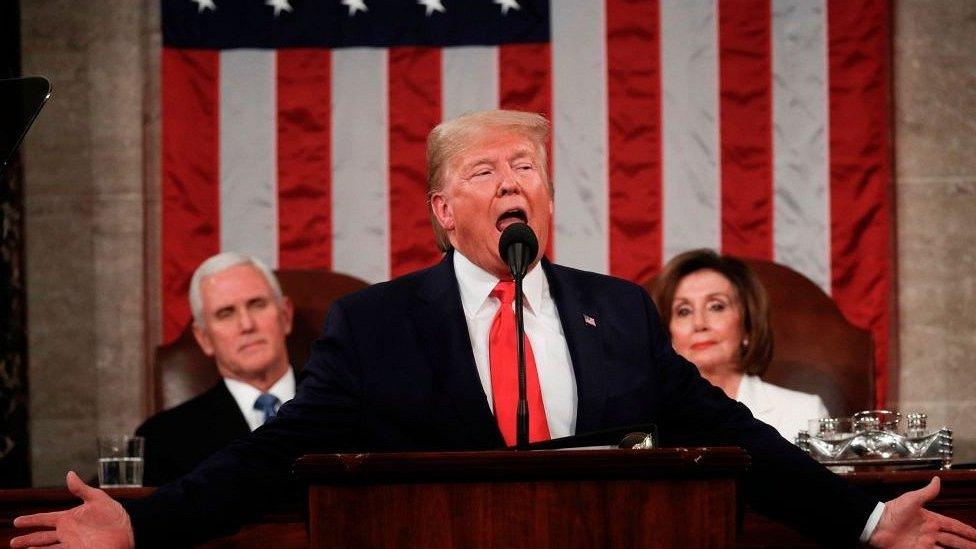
point(179, 439)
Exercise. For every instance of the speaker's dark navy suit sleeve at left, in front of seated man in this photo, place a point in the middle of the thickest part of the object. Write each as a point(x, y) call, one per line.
point(253, 475)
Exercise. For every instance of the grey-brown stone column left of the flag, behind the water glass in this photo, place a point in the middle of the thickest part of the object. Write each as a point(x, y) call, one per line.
point(85, 209)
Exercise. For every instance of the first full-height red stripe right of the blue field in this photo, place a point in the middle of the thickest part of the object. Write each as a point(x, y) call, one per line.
point(634, 105)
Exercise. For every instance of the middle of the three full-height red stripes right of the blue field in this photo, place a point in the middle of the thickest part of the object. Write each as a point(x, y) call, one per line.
point(745, 107)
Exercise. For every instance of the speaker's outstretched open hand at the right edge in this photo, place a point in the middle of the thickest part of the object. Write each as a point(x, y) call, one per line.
point(906, 523)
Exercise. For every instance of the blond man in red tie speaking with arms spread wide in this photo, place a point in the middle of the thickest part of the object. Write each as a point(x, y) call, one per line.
point(425, 362)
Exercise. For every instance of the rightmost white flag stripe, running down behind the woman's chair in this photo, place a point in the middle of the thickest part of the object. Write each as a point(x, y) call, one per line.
point(800, 177)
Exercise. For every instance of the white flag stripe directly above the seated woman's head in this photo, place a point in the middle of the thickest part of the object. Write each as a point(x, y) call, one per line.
point(690, 149)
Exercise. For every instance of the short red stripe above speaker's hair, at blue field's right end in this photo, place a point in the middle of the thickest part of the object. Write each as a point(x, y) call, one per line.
point(525, 84)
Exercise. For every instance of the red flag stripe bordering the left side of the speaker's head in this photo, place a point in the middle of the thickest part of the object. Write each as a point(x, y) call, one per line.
point(415, 108)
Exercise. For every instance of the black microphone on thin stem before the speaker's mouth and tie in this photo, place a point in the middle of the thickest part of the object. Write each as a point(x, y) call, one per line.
point(518, 247)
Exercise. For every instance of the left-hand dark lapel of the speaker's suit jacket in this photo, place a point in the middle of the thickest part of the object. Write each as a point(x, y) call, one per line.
point(439, 319)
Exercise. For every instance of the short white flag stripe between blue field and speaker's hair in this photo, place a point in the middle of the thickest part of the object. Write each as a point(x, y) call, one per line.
point(470, 80)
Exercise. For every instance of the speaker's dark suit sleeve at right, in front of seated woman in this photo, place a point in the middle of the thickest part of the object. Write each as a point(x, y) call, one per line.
point(782, 482)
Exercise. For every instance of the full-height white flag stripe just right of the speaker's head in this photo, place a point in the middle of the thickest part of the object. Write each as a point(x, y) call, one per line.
point(580, 133)
